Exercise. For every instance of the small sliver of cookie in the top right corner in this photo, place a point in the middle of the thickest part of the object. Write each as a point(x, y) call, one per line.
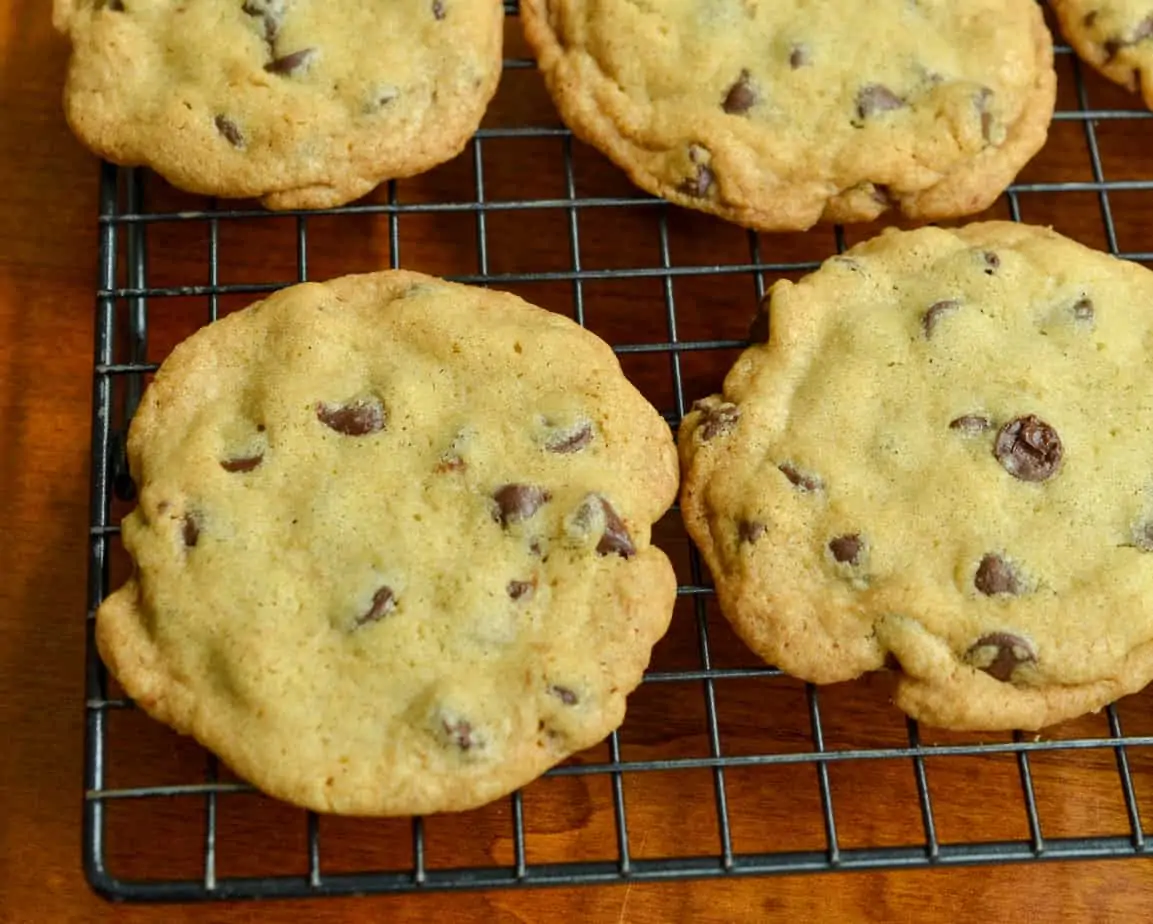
point(1116, 37)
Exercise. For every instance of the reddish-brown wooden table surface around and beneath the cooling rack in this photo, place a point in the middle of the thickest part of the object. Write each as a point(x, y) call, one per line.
point(48, 271)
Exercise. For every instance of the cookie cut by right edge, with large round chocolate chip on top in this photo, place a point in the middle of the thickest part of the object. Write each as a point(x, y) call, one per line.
point(940, 461)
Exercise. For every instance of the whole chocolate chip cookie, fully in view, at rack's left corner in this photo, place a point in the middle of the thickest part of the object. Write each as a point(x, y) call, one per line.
point(393, 544)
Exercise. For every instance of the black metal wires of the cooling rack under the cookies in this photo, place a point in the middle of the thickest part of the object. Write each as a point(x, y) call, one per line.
point(124, 301)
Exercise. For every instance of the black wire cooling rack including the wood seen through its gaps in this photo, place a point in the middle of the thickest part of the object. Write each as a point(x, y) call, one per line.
point(762, 775)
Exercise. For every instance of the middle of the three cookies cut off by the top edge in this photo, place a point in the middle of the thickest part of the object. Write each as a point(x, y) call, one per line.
point(778, 116)
